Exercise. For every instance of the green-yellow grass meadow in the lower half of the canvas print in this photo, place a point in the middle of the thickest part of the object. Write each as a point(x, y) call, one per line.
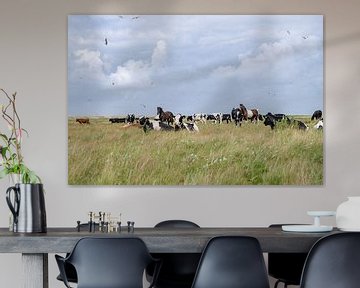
point(105, 154)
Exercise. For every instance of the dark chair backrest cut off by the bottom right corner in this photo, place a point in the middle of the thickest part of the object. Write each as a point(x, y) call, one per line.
point(333, 262)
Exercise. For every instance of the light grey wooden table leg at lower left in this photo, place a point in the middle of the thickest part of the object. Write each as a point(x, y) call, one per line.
point(35, 270)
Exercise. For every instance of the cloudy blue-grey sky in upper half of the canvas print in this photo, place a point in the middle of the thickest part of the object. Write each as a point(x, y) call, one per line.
point(121, 64)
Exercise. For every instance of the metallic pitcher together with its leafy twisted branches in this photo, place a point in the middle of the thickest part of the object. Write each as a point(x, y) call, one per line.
point(25, 197)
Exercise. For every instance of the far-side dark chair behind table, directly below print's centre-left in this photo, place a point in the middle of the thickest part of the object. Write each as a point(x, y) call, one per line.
point(178, 269)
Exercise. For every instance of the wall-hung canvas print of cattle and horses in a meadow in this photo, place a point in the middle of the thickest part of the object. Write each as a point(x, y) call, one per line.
point(195, 100)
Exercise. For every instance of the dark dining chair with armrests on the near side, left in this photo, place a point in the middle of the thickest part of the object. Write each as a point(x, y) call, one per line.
point(108, 263)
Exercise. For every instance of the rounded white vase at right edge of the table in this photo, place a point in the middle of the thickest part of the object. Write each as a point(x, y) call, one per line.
point(348, 214)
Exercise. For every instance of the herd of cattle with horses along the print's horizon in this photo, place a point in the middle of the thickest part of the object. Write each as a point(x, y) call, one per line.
point(166, 120)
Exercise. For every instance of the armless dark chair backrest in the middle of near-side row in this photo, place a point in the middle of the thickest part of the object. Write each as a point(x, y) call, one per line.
point(232, 261)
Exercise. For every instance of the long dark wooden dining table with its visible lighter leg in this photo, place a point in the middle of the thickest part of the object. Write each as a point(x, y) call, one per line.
point(35, 247)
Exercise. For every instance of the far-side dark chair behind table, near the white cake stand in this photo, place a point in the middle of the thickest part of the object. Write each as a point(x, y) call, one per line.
point(286, 267)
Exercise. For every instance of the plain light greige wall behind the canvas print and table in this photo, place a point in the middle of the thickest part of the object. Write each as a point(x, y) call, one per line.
point(33, 62)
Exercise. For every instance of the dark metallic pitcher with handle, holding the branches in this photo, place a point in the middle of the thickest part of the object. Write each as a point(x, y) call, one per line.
point(27, 204)
